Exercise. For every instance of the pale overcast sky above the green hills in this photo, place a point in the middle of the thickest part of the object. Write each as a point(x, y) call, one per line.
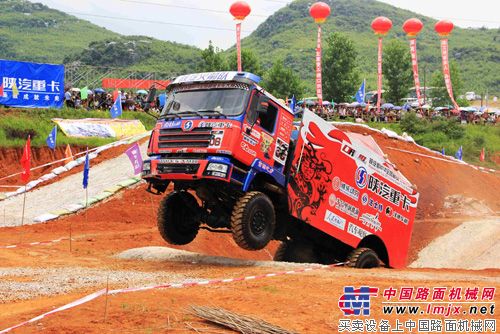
point(196, 22)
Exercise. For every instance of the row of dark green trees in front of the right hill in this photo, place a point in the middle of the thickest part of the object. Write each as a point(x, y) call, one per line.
point(341, 73)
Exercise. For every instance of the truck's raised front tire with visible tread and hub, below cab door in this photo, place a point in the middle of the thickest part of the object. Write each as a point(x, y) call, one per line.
point(253, 221)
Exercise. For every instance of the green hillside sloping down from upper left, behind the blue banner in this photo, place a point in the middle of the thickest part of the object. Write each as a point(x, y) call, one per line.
point(34, 32)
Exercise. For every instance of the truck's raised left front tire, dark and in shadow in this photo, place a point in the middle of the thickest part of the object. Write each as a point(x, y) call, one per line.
point(177, 218)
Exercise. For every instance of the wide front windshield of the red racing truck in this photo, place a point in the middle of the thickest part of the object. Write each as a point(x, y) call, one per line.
point(226, 101)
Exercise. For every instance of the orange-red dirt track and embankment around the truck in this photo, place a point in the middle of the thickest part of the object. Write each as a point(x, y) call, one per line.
point(303, 302)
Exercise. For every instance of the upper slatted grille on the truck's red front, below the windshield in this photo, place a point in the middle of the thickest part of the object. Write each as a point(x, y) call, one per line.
point(198, 137)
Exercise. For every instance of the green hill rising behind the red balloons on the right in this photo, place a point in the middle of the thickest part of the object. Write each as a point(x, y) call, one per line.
point(290, 33)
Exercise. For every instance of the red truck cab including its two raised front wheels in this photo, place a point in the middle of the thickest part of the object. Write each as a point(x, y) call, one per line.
point(226, 140)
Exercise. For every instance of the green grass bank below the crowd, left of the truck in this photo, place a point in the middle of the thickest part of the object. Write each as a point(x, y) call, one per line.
point(17, 124)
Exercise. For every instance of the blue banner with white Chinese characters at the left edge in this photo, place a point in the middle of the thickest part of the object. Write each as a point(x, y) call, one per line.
point(31, 85)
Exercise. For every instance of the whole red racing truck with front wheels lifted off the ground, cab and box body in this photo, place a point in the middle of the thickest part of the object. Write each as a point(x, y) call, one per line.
point(238, 164)
